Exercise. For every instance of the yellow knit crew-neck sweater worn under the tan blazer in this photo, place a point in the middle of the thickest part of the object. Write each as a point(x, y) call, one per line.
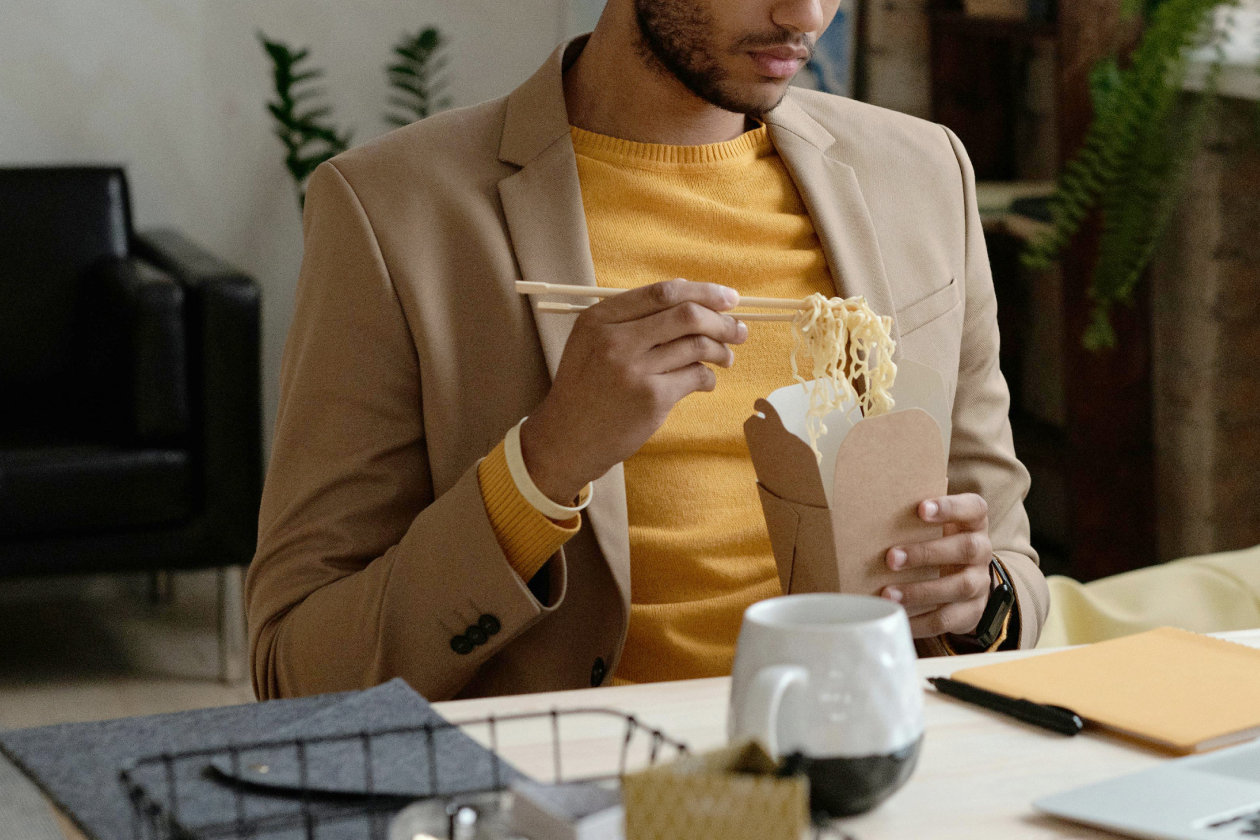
point(724, 213)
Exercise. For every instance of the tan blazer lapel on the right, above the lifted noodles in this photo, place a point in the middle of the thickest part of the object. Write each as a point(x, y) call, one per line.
point(836, 206)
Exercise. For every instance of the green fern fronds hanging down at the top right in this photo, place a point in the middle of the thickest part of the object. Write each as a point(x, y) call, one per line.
point(1132, 167)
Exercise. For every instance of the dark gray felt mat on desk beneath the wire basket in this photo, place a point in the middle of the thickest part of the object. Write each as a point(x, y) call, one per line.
point(79, 766)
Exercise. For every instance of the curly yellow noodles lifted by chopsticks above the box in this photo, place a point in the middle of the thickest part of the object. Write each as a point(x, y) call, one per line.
point(851, 349)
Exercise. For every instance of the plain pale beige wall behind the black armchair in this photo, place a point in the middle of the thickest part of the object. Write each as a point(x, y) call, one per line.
point(176, 89)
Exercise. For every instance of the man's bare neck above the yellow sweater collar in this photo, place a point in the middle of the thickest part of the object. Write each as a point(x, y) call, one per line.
point(613, 91)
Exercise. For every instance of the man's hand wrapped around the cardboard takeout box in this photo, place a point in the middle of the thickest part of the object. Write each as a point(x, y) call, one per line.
point(954, 603)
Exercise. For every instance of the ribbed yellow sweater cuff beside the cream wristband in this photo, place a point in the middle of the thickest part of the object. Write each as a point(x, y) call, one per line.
point(529, 540)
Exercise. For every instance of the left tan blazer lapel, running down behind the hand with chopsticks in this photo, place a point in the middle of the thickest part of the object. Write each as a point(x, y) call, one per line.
point(542, 205)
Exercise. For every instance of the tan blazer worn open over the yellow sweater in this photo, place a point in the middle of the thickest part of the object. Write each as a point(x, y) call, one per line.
point(411, 356)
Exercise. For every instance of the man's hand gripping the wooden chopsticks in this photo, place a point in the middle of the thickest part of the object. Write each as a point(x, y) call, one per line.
point(629, 360)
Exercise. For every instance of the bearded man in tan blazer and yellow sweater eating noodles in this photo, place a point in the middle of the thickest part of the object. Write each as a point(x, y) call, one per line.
point(414, 525)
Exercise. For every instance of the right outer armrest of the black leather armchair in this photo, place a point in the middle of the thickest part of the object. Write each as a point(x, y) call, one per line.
point(225, 381)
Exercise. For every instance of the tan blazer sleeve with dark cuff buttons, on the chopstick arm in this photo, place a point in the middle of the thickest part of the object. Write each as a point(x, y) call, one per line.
point(361, 574)
